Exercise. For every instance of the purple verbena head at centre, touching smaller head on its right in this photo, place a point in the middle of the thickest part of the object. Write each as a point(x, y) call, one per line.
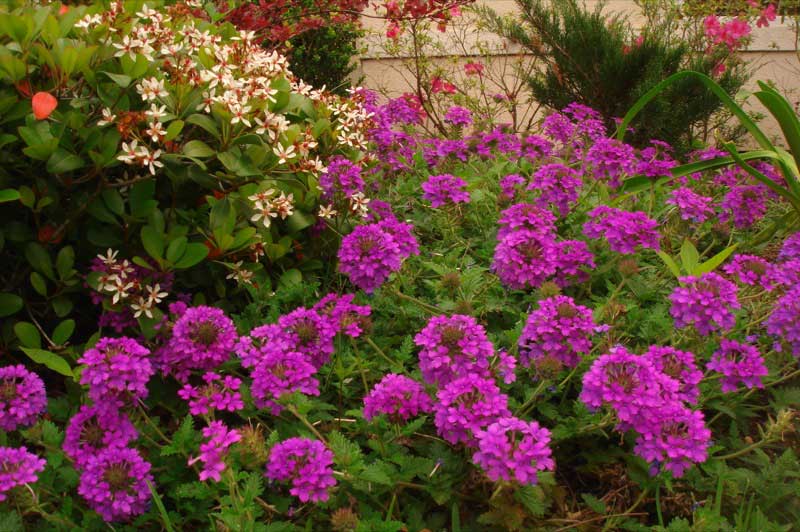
point(525, 258)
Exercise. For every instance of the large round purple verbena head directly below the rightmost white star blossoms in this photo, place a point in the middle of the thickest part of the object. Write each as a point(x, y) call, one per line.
point(368, 256)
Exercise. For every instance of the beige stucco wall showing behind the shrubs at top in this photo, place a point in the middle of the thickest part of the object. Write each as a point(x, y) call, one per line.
point(771, 54)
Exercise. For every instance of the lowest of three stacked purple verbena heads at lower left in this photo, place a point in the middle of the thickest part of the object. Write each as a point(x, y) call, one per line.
point(114, 484)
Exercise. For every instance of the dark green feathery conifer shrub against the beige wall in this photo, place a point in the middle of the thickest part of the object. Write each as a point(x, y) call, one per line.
point(595, 59)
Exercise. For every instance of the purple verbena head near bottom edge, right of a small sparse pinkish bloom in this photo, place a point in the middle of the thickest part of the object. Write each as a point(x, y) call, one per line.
point(306, 464)
